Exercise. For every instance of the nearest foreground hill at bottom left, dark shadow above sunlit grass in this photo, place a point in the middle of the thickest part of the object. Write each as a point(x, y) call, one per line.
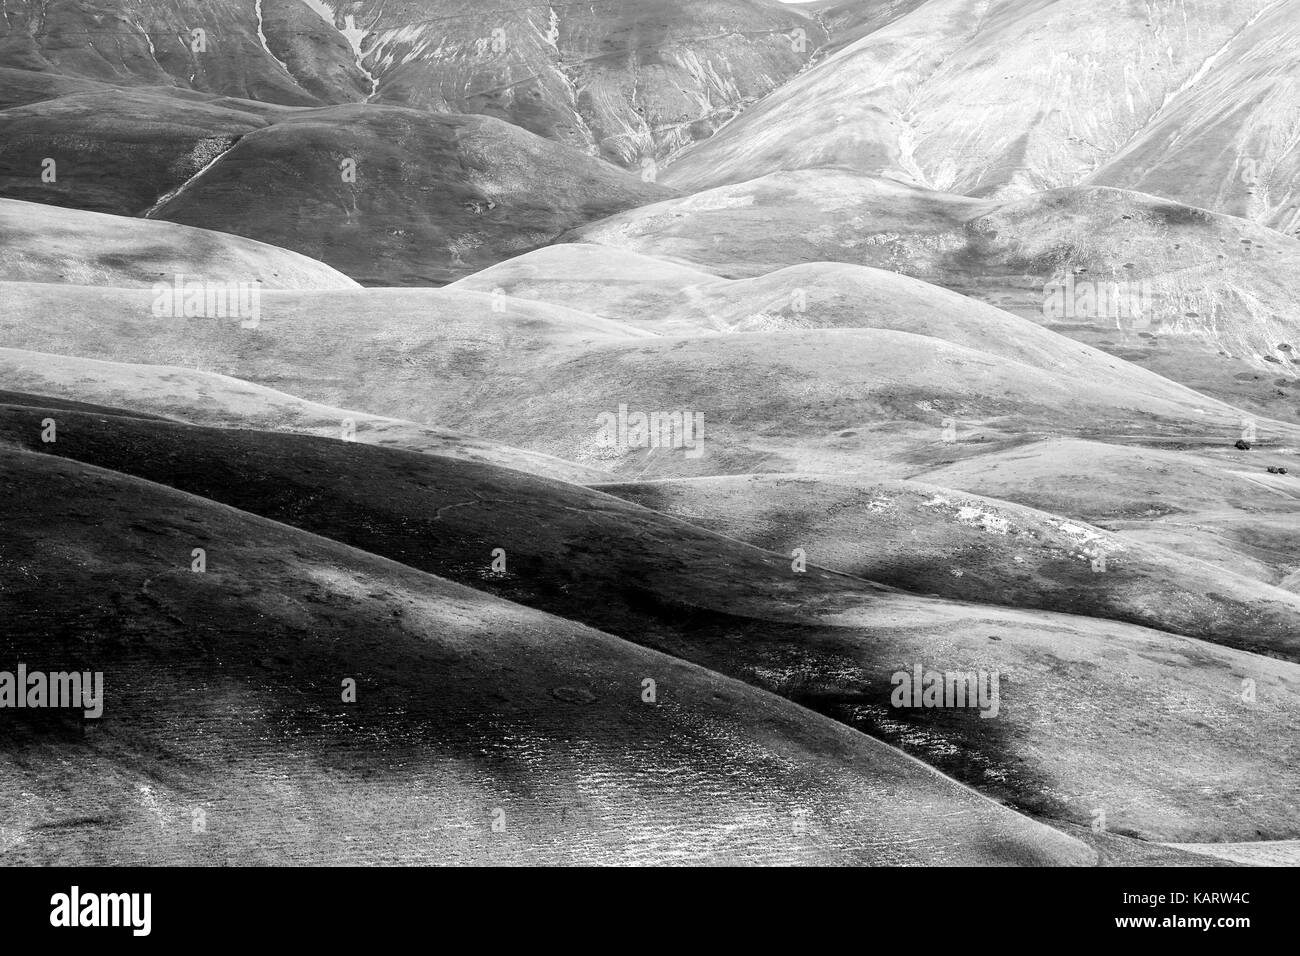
point(233, 710)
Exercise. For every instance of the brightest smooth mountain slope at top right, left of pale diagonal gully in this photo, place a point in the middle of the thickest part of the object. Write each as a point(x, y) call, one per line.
point(987, 98)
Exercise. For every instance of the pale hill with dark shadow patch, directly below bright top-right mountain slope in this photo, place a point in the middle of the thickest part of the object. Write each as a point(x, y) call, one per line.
point(1202, 299)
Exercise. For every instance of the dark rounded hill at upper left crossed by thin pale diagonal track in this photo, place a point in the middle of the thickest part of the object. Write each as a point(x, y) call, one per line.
point(389, 196)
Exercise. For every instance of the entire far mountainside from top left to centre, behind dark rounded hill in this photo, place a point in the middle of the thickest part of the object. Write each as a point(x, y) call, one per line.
point(626, 80)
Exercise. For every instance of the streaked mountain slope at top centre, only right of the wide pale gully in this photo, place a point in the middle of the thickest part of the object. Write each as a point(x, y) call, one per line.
point(626, 80)
